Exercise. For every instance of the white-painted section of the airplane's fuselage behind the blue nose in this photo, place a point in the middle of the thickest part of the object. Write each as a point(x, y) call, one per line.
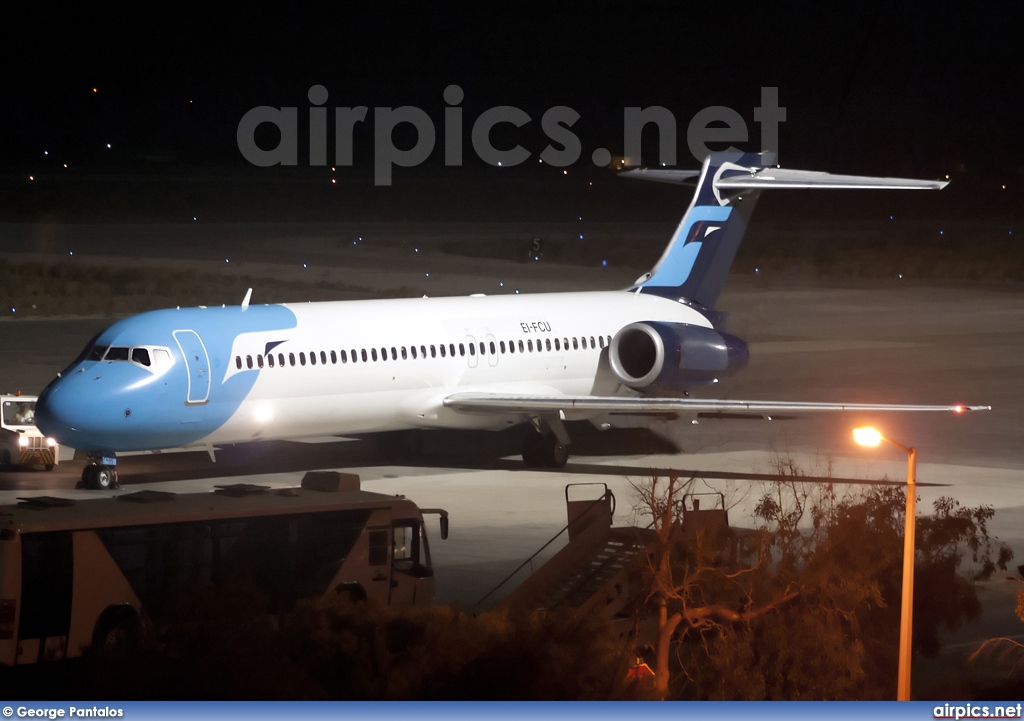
point(350, 397)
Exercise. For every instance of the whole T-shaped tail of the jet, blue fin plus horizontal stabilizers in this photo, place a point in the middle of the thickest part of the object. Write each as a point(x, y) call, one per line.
point(697, 263)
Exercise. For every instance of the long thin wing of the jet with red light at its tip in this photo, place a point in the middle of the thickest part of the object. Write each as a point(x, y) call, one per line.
point(573, 405)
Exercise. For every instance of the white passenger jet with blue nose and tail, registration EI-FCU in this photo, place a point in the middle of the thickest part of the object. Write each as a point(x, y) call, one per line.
point(208, 376)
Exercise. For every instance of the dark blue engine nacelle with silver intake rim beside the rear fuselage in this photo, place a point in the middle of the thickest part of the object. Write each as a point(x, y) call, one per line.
point(674, 355)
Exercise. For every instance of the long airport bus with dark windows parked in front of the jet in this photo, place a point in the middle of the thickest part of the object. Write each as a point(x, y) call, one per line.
point(78, 573)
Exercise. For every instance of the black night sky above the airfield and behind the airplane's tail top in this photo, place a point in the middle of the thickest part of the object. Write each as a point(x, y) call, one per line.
point(911, 89)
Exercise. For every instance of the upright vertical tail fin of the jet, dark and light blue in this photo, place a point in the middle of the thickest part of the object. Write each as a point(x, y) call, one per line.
point(698, 260)
